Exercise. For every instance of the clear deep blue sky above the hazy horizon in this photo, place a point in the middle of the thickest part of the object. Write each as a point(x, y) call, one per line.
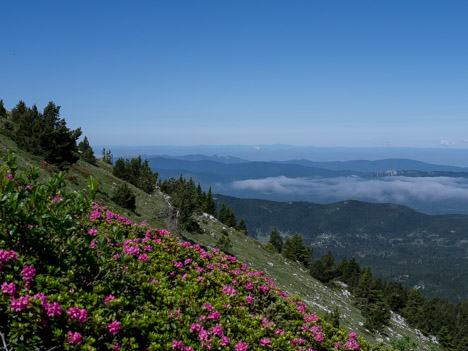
point(325, 73)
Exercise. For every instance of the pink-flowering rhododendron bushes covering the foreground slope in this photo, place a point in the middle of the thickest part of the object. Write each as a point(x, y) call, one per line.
point(76, 275)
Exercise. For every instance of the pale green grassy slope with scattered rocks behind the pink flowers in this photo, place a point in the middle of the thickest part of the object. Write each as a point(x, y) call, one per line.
point(286, 274)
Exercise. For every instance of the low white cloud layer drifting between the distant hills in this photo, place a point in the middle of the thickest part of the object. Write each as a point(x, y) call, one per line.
point(387, 189)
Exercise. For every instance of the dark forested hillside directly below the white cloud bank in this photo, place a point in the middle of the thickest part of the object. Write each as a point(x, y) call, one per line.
point(399, 243)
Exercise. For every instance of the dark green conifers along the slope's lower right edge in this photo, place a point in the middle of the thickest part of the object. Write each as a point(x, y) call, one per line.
point(375, 297)
